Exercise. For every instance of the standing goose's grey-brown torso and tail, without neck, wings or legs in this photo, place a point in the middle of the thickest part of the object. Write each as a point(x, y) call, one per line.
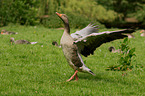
point(72, 54)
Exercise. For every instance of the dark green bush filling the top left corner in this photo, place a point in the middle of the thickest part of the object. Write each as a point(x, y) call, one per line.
point(18, 11)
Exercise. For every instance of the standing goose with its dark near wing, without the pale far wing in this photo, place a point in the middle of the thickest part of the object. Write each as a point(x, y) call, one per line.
point(86, 45)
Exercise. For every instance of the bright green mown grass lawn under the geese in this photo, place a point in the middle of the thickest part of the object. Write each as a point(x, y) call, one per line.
point(41, 69)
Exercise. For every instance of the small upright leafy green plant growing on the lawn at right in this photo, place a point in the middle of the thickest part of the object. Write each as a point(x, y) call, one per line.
point(125, 57)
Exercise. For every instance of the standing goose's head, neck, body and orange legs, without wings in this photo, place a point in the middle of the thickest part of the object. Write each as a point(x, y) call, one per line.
point(71, 52)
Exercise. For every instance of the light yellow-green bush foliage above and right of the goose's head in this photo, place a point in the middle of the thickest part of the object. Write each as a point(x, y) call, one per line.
point(89, 9)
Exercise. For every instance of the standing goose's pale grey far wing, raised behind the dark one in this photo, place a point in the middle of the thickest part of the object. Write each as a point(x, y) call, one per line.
point(85, 31)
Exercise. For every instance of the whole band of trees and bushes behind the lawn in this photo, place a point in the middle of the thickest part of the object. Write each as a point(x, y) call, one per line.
point(32, 12)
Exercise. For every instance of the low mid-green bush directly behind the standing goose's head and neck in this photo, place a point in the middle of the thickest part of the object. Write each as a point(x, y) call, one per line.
point(76, 21)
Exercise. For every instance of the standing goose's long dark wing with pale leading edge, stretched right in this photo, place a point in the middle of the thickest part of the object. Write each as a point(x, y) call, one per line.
point(88, 44)
